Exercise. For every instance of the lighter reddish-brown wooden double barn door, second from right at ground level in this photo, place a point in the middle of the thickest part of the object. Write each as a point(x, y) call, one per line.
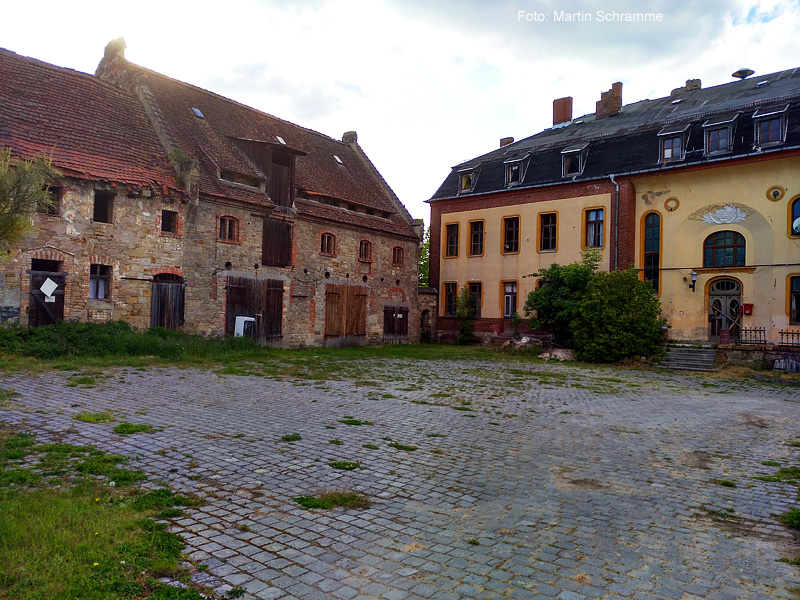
point(345, 315)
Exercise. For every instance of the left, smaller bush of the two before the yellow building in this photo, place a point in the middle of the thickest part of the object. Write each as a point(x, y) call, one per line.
point(555, 303)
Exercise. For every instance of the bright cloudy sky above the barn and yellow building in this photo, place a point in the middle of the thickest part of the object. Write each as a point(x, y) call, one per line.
point(427, 84)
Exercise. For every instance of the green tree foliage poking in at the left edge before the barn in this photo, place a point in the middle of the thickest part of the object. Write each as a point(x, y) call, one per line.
point(23, 191)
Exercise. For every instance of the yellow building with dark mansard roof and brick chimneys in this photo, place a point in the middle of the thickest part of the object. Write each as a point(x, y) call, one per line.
point(699, 190)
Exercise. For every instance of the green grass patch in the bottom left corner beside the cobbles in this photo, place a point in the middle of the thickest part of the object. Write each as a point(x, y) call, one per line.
point(70, 527)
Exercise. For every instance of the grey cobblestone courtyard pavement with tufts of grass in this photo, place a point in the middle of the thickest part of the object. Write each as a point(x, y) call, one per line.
point(528, 480)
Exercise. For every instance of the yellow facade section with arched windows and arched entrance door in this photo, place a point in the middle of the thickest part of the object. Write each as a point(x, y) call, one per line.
point(683, 199)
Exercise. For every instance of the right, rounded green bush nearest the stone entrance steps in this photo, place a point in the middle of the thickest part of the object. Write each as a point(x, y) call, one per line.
point(617, 317)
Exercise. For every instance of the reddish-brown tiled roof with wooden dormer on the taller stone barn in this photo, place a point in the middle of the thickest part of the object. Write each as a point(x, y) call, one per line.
point(210, 140)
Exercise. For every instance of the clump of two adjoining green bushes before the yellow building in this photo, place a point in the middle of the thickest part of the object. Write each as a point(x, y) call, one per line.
point(603, 316)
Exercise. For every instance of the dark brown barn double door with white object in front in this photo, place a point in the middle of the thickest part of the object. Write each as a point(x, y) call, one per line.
point(261, 299)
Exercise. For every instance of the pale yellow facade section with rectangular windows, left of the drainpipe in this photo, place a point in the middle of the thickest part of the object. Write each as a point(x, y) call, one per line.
point(495, 266)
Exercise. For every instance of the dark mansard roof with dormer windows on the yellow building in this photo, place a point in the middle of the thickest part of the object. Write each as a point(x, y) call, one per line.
point(628, 141)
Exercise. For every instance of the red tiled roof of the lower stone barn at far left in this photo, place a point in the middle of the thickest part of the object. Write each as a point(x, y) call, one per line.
point(94, 130)
